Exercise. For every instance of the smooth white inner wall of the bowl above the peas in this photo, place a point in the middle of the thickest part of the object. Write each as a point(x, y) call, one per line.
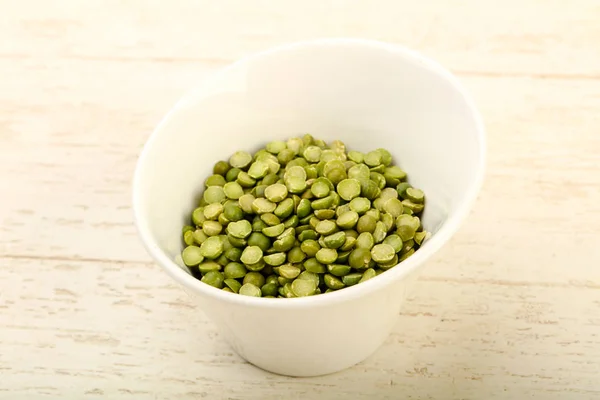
point(366, 95)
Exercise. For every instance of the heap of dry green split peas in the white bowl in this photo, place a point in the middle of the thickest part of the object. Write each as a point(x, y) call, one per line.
point(300, 218)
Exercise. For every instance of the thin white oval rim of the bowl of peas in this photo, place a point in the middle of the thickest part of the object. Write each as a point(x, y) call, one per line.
point(441, 237)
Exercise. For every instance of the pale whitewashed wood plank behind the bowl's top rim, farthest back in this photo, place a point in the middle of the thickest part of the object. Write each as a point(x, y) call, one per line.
point(536, 37)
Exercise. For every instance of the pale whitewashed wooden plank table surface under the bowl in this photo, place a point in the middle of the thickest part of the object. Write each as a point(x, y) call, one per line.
point(509, 309)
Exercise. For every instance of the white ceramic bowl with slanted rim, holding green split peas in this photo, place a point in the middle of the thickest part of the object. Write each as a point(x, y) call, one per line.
point(365, 93)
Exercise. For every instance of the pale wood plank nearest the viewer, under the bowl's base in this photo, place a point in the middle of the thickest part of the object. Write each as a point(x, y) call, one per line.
point(124, 330)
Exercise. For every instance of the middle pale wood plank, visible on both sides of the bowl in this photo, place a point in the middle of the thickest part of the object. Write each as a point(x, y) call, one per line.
point(68, 169)
